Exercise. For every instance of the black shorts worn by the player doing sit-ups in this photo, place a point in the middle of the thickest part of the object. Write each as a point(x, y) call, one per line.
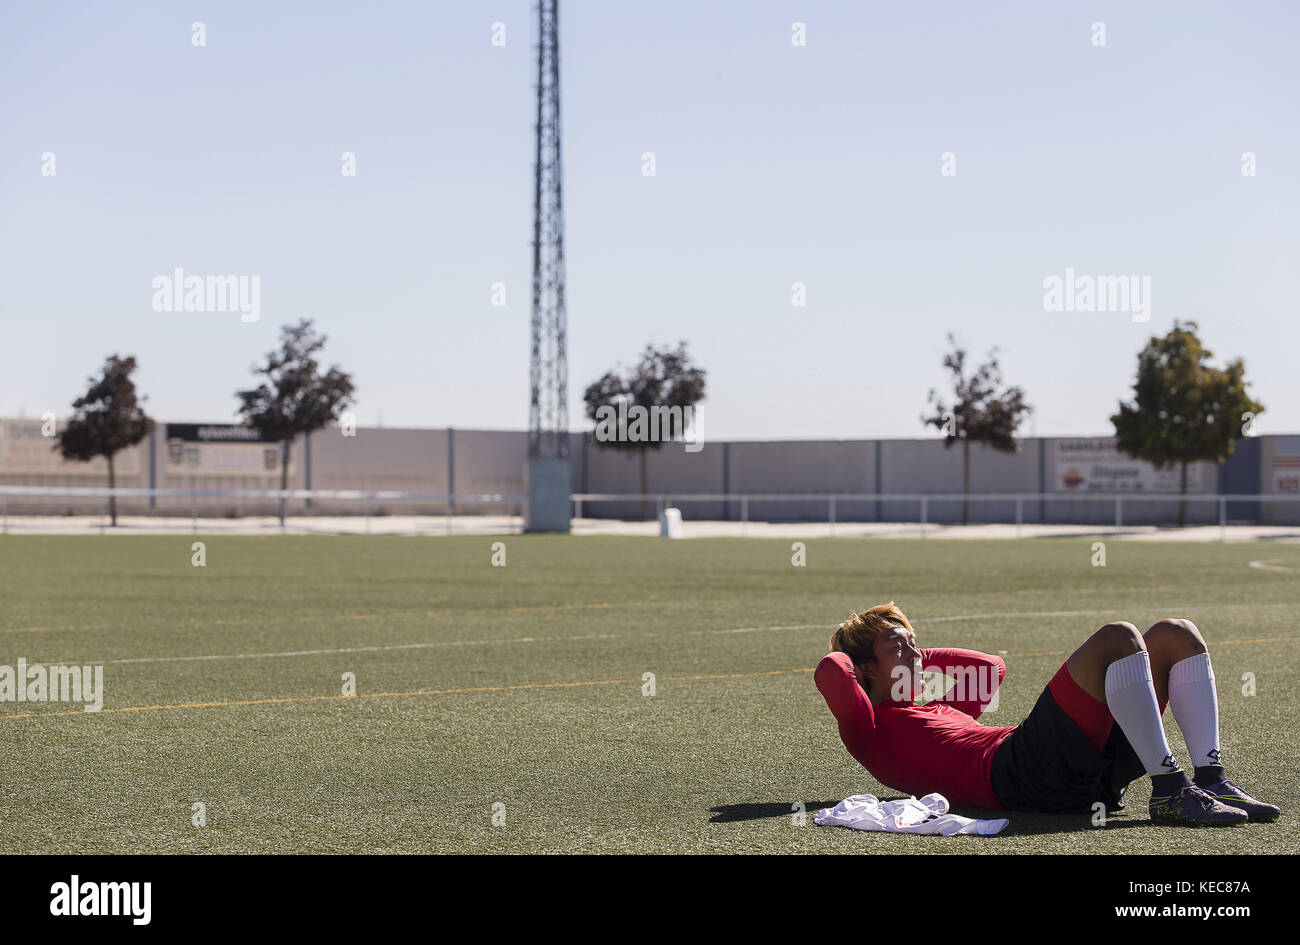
point(1048, 764)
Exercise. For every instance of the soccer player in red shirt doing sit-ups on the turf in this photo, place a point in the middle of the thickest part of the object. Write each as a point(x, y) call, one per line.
point(1068, 755)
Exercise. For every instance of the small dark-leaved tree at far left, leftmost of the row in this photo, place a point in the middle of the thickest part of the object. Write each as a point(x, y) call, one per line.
point(106, 421)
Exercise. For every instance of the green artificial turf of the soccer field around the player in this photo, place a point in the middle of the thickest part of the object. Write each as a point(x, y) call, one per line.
point(528, 688)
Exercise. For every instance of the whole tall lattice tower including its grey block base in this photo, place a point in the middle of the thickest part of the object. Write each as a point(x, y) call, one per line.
point(547, 475)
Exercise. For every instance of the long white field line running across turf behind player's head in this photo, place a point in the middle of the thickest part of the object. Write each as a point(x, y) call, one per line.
point(613, 636)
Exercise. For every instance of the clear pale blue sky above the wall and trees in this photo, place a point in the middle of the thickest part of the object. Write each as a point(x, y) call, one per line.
point(774, 164)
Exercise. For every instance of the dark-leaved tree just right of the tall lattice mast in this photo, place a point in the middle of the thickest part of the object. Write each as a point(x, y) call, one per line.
point(664, 387)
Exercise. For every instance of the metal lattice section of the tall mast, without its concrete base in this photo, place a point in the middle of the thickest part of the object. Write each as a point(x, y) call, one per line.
point(548, 422)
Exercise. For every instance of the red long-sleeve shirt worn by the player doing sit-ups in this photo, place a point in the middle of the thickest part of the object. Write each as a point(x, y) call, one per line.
point(922, 749)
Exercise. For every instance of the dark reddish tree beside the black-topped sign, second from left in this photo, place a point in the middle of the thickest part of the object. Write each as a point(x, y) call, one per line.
point(296, 398)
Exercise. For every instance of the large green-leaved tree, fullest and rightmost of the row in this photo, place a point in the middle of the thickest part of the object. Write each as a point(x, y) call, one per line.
point(1184, 411)
